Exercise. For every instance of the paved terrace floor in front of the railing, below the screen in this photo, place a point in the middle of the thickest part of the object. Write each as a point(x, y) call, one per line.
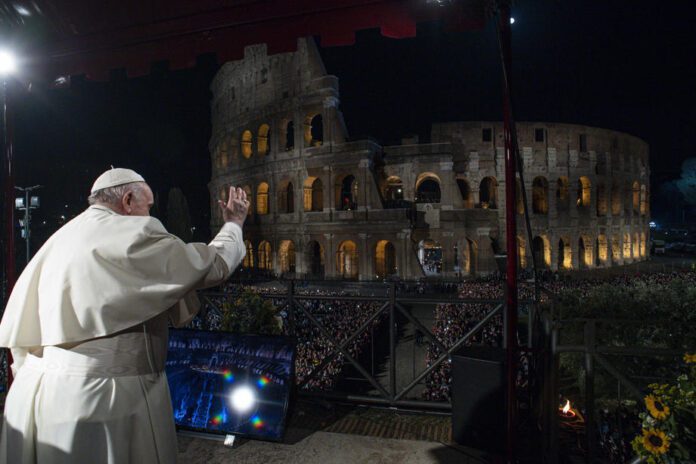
point(341, 434)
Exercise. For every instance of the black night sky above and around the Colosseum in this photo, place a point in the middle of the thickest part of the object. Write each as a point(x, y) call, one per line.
point(628, 66)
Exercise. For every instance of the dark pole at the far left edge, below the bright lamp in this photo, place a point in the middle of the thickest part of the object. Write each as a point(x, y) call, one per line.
point(10, 269)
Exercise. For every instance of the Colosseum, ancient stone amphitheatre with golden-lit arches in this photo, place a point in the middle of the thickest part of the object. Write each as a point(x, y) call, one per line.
point(327, 206)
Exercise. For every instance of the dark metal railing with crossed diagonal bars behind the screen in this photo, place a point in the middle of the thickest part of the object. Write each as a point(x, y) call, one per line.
point(392, 305)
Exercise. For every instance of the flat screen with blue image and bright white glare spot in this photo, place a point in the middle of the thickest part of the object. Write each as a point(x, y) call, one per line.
point(226, 383)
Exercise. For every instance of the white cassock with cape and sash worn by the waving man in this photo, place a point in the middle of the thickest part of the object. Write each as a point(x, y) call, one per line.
point(87, 326)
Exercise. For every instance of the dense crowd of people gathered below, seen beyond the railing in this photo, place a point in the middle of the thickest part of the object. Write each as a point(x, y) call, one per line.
point(341, 317)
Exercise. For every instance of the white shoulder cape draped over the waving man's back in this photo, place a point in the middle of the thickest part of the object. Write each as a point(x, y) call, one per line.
point(99, 274)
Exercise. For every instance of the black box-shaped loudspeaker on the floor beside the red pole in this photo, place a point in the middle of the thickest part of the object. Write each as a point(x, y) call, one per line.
point(478, 398)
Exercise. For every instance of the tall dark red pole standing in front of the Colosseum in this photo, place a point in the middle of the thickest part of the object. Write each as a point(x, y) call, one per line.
point(510, 230)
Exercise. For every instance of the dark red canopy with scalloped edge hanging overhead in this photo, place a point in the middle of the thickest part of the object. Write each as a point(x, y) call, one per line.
point(68, 37)
